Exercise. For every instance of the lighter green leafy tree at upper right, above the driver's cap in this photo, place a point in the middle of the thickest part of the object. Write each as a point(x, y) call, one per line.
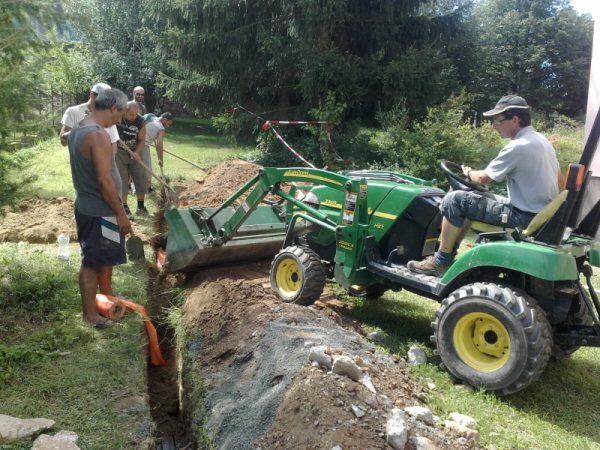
point(540, 49)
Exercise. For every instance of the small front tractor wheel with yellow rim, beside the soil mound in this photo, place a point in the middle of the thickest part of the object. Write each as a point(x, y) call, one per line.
point(297, 275)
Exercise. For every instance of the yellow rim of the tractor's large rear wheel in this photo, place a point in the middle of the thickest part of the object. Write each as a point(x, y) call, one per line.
point(482, 342)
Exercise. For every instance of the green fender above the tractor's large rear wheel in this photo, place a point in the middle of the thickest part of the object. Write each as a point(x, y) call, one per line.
point(542, 262)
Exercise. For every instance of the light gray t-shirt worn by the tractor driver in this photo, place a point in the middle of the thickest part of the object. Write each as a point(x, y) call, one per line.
point(529, 164)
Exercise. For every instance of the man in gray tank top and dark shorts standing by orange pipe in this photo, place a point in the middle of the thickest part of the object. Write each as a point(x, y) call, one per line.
point(99, 214)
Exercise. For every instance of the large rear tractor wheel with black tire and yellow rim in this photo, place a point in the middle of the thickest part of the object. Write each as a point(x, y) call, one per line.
point(492, 336)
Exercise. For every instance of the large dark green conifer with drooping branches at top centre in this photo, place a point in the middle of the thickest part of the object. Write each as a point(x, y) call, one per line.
point(286, 56)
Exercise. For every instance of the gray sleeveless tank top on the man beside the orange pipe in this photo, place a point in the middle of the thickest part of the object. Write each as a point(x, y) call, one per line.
point(88, 199)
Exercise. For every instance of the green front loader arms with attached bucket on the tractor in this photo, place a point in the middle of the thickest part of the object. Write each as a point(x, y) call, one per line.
point(209, 236)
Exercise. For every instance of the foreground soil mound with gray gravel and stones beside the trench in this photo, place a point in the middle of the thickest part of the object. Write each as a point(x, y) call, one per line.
point(262, 390)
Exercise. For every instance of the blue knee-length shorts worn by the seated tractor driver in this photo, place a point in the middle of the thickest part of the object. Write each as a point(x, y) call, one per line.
point(460, 205)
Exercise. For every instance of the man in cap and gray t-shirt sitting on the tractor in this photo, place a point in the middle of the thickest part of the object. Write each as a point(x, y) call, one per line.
point(533, 178)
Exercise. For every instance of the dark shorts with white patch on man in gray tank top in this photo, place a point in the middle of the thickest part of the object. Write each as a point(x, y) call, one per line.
point(101, 243)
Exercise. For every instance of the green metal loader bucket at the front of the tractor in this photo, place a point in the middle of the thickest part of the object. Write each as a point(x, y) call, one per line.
point(194, 241)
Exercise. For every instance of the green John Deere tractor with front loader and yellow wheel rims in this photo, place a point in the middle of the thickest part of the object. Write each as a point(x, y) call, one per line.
point(507, 304)
